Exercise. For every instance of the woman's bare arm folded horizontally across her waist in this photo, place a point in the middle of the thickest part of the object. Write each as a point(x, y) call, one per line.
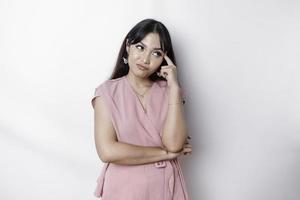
point(110, 150)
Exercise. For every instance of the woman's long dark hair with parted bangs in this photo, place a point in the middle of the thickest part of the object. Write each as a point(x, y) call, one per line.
point(135, 35)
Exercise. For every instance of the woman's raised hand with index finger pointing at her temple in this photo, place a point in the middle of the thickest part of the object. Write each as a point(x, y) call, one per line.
point(169, 72)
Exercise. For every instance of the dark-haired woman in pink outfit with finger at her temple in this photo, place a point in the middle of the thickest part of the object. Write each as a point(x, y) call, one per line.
point(140, 128)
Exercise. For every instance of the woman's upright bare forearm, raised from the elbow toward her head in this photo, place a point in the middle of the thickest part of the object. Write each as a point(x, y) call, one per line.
point(174, 130)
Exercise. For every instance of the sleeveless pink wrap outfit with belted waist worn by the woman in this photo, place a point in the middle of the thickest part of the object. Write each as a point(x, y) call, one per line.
point(162, 180)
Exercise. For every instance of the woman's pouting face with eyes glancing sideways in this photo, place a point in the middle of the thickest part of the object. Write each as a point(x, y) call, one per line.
point(145, 57)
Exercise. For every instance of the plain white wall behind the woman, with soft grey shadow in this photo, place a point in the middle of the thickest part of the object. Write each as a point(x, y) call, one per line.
point(238, 62)
